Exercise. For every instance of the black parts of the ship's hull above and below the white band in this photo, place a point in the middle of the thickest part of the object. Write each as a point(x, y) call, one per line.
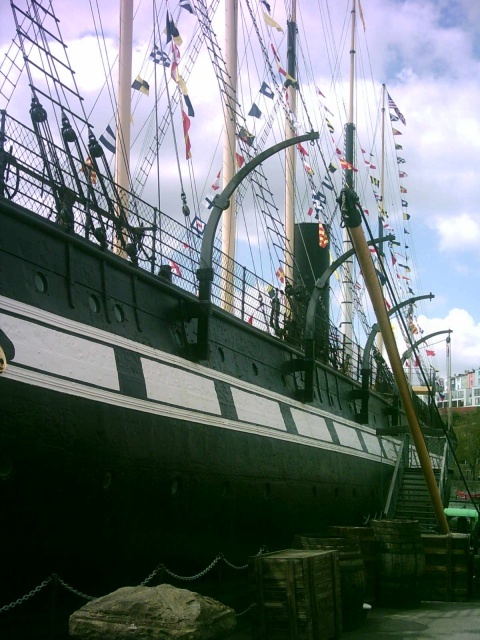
point(101, 493)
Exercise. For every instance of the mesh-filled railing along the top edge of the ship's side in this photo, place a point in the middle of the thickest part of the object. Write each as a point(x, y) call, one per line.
point(80, 195)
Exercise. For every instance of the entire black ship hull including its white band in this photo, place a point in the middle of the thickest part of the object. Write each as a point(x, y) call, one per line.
point(119, 452)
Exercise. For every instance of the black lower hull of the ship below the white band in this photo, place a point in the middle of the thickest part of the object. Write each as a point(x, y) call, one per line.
point(99, 491)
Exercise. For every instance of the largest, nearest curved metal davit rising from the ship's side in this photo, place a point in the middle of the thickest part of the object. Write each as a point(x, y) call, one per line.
point(205, 272)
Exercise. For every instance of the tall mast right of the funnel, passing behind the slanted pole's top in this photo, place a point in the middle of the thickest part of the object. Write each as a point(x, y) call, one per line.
point(347, 309)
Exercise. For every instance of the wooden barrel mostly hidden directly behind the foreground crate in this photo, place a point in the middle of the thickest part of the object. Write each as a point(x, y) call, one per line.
point(352, 573)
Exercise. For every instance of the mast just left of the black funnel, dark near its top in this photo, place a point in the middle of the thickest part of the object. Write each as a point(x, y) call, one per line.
point(290, 152)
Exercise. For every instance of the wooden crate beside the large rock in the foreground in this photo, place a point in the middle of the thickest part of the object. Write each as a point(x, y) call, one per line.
point(297, 593)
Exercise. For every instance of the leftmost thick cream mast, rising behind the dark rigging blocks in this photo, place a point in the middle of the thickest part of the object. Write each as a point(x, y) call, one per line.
point(122, 156)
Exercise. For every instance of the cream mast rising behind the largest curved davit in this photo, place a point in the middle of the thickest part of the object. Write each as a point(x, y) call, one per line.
point(229, 146)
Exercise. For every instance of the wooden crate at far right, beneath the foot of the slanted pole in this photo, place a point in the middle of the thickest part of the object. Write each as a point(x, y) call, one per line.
point(447, 574)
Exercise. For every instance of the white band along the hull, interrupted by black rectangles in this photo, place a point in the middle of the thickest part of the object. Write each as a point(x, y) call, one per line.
point(173, 391)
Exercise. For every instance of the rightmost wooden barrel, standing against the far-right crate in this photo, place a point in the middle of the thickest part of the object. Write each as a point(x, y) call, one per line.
point(400, 562)
